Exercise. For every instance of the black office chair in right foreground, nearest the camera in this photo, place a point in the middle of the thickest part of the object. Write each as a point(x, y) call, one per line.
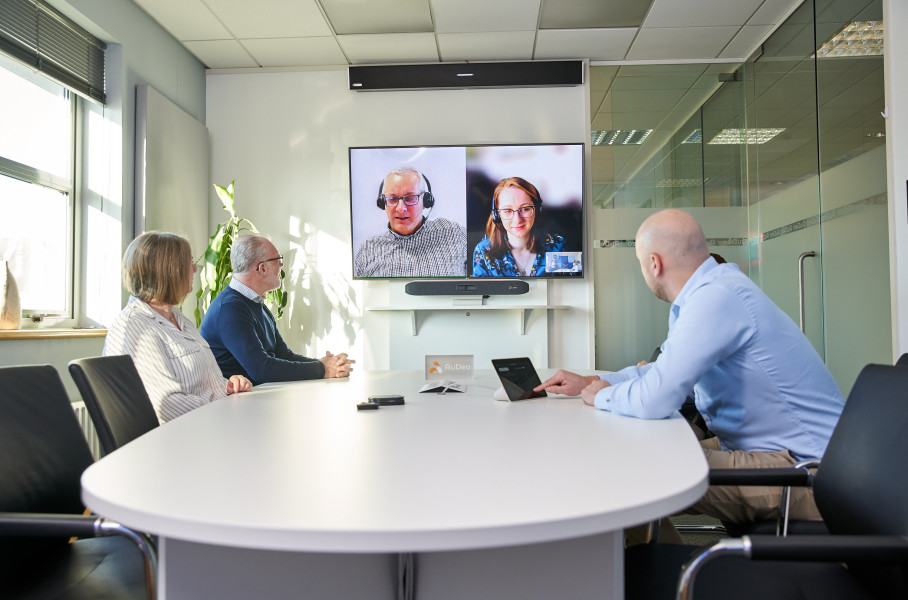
point(861, 492)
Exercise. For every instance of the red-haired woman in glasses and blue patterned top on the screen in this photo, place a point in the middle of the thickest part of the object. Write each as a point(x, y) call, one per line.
point(513, 246)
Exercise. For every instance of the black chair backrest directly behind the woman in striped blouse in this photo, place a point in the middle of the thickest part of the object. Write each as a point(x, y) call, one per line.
point(115, 397)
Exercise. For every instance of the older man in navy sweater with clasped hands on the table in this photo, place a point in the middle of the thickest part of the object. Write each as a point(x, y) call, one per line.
point(242, 331)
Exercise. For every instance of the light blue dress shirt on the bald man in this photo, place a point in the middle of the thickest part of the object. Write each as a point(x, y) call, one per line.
point(758, 381)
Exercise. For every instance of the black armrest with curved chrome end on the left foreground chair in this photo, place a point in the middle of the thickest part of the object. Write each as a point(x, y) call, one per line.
point(62, 525)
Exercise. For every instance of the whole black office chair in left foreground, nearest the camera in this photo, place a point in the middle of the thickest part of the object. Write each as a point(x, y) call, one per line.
point(42, 456)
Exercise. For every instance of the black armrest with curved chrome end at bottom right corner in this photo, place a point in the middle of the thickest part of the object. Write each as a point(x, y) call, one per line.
point(817, 548)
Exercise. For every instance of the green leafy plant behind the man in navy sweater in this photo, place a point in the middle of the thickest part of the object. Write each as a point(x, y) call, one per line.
point(214, 264)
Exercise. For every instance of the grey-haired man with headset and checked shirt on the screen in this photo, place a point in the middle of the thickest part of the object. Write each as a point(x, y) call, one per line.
point(412, 245)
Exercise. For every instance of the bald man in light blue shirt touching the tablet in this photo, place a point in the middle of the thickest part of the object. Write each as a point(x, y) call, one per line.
point(758, 382)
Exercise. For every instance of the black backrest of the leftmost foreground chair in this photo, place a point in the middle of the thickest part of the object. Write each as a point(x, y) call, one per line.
point(43, 451)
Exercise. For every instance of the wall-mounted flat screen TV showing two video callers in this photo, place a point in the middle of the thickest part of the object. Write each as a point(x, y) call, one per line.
point(481, 211)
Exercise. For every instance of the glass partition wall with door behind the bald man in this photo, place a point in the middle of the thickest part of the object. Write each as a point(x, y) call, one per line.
point(782, 159)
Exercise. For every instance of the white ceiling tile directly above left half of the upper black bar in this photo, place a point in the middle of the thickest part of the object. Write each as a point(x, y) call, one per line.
point(389, 48)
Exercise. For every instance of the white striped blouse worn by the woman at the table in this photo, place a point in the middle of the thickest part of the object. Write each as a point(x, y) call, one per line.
point(177, 367)
